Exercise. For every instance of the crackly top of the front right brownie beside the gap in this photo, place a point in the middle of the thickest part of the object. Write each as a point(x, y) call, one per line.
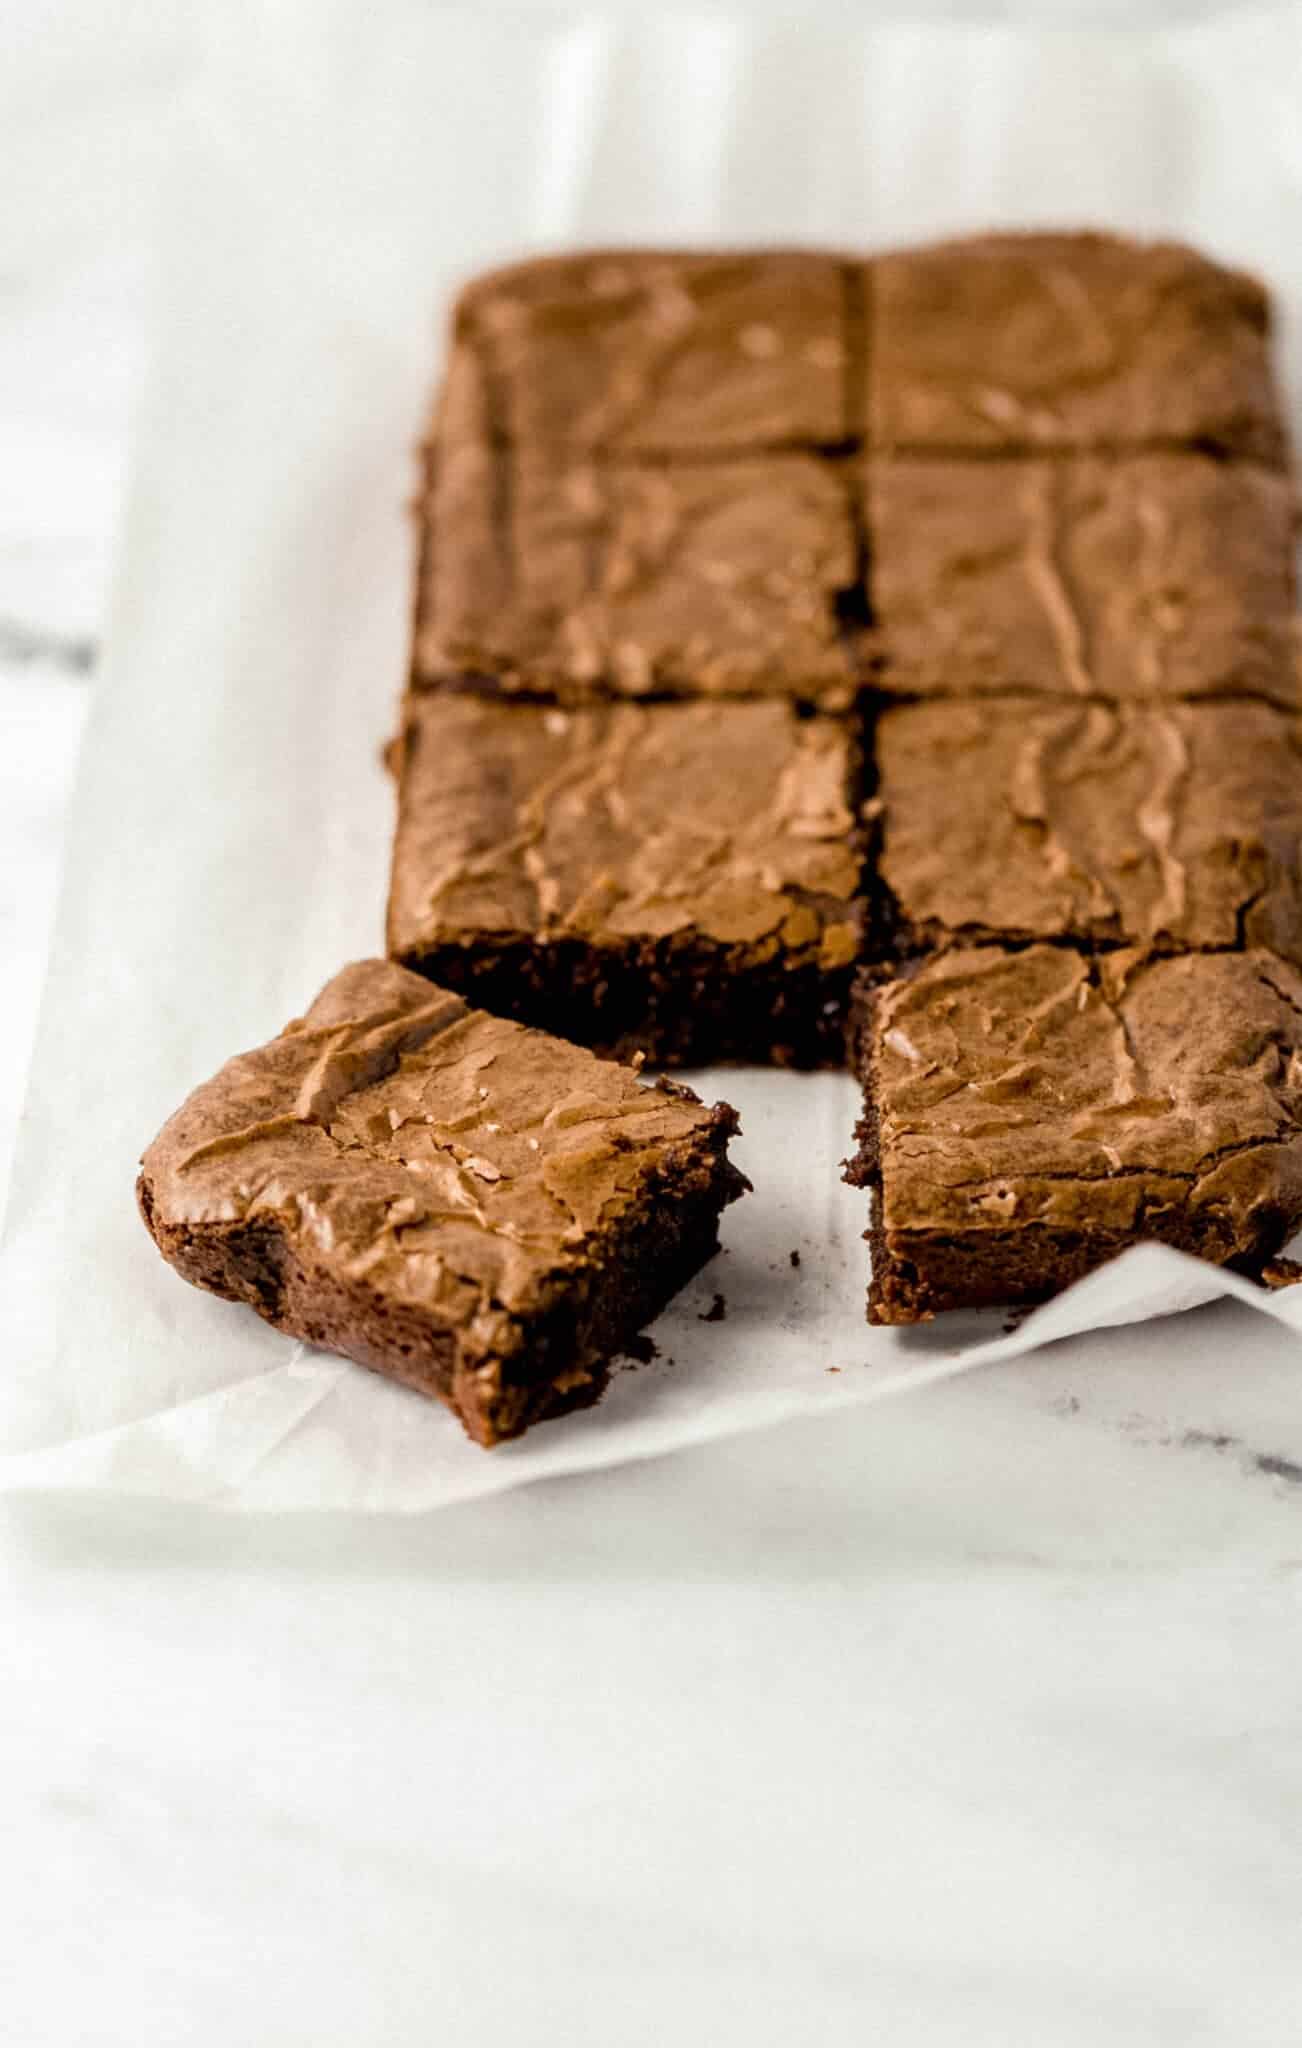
point(1045, 1089)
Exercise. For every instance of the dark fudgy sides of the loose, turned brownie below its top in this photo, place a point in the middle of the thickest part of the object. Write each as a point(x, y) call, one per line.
point(562, 1357)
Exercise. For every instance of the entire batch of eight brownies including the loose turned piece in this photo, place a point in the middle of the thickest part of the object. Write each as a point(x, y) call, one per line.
point(814, 658)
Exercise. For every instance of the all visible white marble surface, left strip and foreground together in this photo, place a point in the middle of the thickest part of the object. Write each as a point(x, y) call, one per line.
point(957, 1723)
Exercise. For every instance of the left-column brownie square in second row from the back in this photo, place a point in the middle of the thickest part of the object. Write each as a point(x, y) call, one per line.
point(621, 581)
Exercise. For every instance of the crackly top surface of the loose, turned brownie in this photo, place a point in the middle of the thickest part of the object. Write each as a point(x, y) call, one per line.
point(423, 1150)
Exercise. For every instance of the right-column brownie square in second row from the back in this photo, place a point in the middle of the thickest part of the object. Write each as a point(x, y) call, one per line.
point(1147, 579)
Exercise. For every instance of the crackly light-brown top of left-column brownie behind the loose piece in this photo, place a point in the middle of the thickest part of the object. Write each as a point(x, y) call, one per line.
point(722, 822)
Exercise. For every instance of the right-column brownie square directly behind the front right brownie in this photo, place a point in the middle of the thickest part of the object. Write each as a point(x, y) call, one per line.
point(1129, 822)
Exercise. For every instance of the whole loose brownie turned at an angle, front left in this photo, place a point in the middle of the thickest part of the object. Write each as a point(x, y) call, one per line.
point(474, 1209)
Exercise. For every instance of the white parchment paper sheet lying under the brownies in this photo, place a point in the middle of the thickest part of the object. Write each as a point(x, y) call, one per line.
point(337, 175)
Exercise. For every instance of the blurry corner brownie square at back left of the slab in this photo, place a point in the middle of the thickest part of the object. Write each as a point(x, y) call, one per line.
point(664, 353)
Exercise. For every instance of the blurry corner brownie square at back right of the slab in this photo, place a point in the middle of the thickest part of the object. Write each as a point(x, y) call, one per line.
point(1047, 341)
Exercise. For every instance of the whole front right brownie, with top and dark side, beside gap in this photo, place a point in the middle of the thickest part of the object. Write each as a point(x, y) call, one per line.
point(1029, 1115)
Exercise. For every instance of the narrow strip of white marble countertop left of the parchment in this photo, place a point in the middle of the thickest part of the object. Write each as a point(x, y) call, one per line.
point(83, 110)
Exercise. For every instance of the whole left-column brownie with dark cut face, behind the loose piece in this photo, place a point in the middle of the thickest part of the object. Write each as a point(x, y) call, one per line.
point(679, 880)
